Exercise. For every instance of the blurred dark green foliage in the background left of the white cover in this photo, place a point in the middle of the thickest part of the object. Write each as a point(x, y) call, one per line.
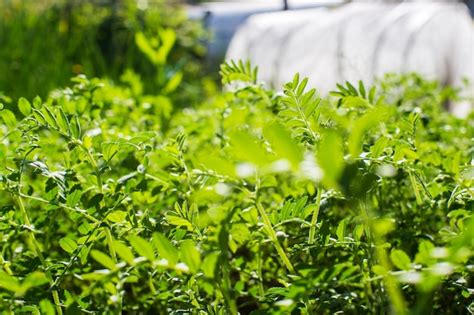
point(44, 43)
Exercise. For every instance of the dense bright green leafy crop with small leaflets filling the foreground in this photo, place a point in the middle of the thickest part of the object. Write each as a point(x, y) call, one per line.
point(276, 203)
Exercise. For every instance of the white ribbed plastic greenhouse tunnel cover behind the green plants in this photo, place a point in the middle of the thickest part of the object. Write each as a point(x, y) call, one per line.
point(361, 40)
